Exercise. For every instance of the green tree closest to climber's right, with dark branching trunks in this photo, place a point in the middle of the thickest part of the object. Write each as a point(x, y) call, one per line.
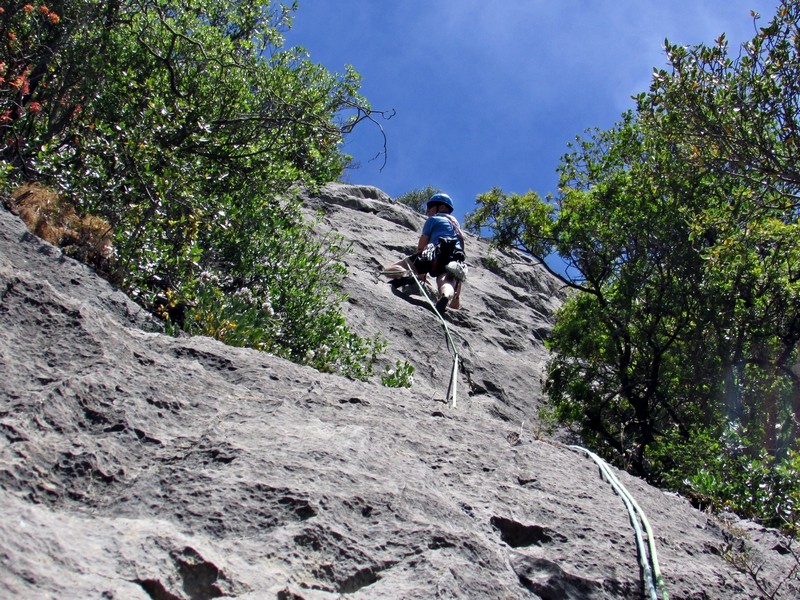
point(623, 237)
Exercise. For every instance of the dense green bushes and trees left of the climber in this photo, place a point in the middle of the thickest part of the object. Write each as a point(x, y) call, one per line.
point(188, 128)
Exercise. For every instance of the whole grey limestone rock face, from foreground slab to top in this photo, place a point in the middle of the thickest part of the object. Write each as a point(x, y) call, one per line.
point(137, 465)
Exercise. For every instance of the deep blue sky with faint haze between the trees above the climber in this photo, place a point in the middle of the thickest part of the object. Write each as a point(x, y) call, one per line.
point(488, 93)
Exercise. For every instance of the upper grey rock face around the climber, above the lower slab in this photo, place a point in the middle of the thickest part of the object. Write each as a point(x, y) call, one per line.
point(507, 307)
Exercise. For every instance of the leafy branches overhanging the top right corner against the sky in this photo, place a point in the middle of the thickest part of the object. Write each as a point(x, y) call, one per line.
point(736, 114)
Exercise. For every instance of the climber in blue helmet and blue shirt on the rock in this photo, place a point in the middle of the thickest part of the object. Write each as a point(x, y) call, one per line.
point(440, 253)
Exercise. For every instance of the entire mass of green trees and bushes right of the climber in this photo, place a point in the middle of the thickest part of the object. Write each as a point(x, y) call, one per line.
point(679, 229)
